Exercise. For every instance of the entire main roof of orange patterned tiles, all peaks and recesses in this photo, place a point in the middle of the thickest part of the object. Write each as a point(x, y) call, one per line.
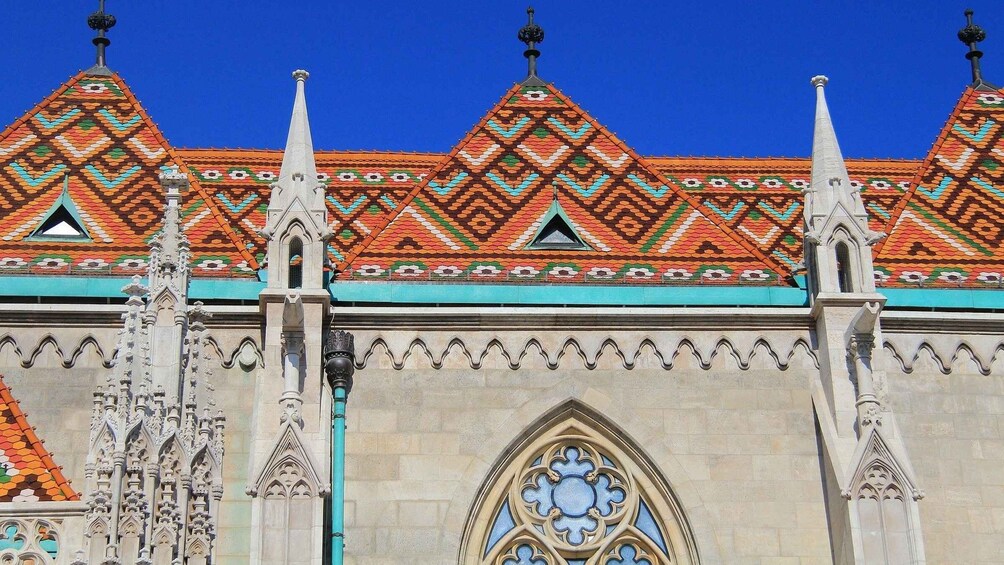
point(685, 220)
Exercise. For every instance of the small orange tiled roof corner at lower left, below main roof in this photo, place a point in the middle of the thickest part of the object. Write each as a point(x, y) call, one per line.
point(28, 473)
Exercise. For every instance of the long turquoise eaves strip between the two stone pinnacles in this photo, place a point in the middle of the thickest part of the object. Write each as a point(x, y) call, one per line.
point(641, 296)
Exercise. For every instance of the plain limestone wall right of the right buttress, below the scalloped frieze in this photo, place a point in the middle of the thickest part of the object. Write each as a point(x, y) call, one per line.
point(953, 428)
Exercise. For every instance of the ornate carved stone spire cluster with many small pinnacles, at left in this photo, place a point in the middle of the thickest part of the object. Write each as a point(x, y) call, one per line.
point(154, 478)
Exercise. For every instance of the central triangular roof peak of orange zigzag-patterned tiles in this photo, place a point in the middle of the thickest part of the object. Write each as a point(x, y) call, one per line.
point(475, 213)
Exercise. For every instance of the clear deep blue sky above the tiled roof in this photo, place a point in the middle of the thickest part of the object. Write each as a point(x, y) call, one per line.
point(707, 79)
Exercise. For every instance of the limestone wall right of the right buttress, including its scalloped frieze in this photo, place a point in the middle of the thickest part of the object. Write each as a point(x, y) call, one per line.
point(946, 387)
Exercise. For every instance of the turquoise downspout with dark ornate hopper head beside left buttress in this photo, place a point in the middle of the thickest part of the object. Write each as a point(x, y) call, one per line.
point(340, 365)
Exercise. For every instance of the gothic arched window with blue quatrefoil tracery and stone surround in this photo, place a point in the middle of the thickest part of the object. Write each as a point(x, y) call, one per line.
point(576, 493)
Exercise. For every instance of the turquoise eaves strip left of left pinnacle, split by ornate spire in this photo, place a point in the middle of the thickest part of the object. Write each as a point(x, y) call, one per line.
point(111, 288)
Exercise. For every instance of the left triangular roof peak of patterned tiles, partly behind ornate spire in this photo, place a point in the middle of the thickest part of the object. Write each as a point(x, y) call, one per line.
point(94, 135)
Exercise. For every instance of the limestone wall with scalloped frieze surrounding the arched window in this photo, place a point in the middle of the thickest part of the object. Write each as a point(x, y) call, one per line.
point(725, 415)
